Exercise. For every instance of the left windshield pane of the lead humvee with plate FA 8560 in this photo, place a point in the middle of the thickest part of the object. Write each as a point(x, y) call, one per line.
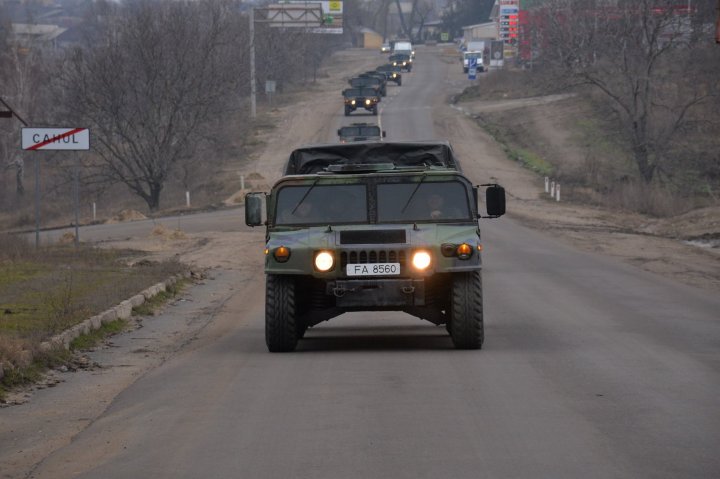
point(321, 204)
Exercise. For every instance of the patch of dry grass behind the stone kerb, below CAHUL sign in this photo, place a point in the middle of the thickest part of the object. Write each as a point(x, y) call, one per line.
point(45, 291)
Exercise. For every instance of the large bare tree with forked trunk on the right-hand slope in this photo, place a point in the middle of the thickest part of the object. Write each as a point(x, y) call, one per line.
point(636, 54)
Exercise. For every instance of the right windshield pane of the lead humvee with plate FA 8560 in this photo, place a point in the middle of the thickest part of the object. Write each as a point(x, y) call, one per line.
point(427, 201)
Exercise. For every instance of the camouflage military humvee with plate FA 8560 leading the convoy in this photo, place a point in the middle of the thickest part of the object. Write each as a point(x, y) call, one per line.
point(373, 227)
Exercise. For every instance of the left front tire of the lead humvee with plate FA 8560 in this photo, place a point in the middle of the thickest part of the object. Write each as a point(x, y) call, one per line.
point(280, 321)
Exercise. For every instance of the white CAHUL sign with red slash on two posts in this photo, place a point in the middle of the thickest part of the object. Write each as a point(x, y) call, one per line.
point(69, 139)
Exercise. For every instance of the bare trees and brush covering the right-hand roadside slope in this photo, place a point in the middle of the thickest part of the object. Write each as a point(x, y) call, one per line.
point(655, 68)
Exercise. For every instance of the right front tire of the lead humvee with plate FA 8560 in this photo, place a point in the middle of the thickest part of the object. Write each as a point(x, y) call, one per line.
point(466, 311)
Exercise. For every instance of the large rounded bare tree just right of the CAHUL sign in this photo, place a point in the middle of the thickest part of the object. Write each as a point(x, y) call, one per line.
point(152, 80)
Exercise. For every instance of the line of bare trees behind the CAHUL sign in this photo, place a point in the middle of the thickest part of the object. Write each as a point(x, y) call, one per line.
point(163, 87)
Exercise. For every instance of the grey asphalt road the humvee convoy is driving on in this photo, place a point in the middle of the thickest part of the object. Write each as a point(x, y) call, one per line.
point(591, 369)
